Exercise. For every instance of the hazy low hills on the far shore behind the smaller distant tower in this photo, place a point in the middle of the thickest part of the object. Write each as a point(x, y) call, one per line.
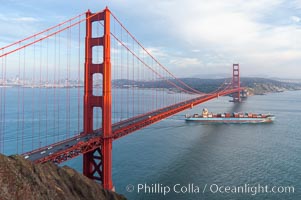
point(255, 85)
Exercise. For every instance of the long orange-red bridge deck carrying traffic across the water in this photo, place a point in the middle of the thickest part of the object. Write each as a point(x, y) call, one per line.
point(82, 143)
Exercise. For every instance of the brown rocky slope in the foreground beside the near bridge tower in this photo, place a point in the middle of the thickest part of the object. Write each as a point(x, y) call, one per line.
point(21, 179)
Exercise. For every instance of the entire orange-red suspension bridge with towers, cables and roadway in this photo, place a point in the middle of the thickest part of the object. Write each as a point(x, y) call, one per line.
point(82, 84)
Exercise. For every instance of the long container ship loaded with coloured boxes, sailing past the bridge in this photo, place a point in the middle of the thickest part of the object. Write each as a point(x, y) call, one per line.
point(207, 117)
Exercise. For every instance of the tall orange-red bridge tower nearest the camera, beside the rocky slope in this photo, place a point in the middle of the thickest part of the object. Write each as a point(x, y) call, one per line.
point(97, 164)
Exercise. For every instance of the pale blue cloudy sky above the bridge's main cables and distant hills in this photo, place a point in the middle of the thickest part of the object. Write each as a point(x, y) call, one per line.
point(192, 38)
